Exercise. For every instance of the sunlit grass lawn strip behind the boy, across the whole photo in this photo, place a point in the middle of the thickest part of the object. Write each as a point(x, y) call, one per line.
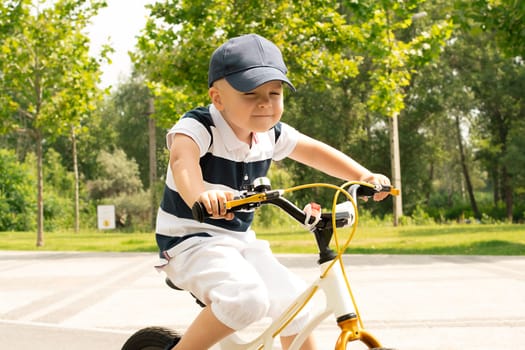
point(499, 239)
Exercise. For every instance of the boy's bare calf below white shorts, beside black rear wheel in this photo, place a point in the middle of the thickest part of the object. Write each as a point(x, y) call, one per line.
point(205, 331)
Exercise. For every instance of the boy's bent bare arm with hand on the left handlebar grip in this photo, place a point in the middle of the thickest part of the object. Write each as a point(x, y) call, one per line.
point(187, 175)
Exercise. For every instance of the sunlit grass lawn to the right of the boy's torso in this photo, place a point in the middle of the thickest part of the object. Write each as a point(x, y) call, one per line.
point(439, 240)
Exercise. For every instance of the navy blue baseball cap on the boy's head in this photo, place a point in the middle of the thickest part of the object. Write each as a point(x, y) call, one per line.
point(247, 62)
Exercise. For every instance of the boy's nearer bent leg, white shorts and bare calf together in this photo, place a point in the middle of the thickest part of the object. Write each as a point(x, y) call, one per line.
point(218, 275)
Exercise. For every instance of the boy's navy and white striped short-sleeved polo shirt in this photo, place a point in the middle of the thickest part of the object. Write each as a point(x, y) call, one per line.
point(227, 164)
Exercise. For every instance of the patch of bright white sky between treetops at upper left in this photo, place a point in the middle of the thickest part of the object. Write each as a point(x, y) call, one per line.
point(118, 24)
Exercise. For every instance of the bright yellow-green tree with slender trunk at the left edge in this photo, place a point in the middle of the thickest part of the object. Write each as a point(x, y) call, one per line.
point(48, 79)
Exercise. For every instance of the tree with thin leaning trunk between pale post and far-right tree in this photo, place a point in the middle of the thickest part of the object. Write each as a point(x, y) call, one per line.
point(441, 92)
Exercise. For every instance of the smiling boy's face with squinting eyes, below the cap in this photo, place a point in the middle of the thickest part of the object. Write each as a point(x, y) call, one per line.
point(247, 112)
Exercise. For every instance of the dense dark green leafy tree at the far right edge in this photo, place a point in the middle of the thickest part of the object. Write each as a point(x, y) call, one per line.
point(495, 79)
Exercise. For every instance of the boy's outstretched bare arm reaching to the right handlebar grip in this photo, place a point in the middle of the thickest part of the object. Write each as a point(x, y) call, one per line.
point(331, 161)
